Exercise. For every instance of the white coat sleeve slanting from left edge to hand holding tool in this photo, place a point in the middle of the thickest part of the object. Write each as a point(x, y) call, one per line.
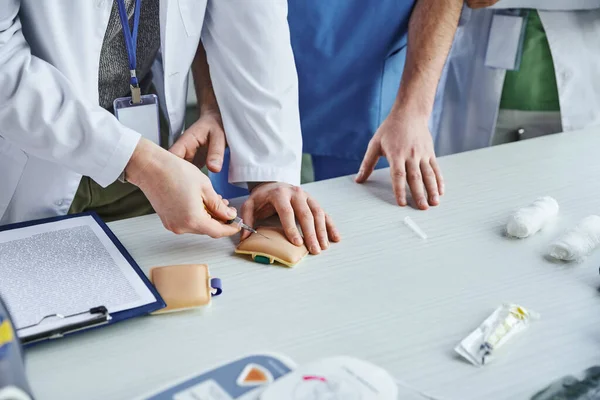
point(42, 113)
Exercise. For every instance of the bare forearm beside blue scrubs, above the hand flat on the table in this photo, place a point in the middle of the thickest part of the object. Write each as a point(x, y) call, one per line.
point(430, 35)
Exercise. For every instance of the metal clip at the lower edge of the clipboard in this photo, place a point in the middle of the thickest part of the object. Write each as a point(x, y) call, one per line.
point(72, 323)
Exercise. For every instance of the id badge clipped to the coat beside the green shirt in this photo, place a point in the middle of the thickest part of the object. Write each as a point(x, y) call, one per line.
point(505, 42)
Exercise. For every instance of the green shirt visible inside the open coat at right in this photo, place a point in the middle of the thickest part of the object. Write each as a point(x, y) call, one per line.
point(533, 86)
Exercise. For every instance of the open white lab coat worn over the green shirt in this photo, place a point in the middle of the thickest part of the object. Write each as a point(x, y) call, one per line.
point(468, 97)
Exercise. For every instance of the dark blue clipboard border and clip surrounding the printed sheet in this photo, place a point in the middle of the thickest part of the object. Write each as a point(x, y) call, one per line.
point(60, 325)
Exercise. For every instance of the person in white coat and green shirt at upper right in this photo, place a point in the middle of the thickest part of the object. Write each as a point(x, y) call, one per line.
point(491, 93)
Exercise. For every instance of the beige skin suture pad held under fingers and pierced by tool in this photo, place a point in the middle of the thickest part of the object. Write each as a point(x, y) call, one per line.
point(276, 248)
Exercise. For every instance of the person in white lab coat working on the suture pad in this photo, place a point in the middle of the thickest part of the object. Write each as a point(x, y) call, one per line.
point(61, 149)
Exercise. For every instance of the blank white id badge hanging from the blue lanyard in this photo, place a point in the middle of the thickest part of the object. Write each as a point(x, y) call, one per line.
point(142, 118)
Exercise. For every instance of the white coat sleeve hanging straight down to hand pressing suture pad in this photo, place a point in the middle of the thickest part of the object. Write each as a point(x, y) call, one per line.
point(256, 84)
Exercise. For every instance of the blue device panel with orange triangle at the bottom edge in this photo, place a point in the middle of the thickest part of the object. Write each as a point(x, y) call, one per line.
point(230, 381)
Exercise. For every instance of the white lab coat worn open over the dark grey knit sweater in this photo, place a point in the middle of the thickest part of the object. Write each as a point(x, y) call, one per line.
point(52, 130)
